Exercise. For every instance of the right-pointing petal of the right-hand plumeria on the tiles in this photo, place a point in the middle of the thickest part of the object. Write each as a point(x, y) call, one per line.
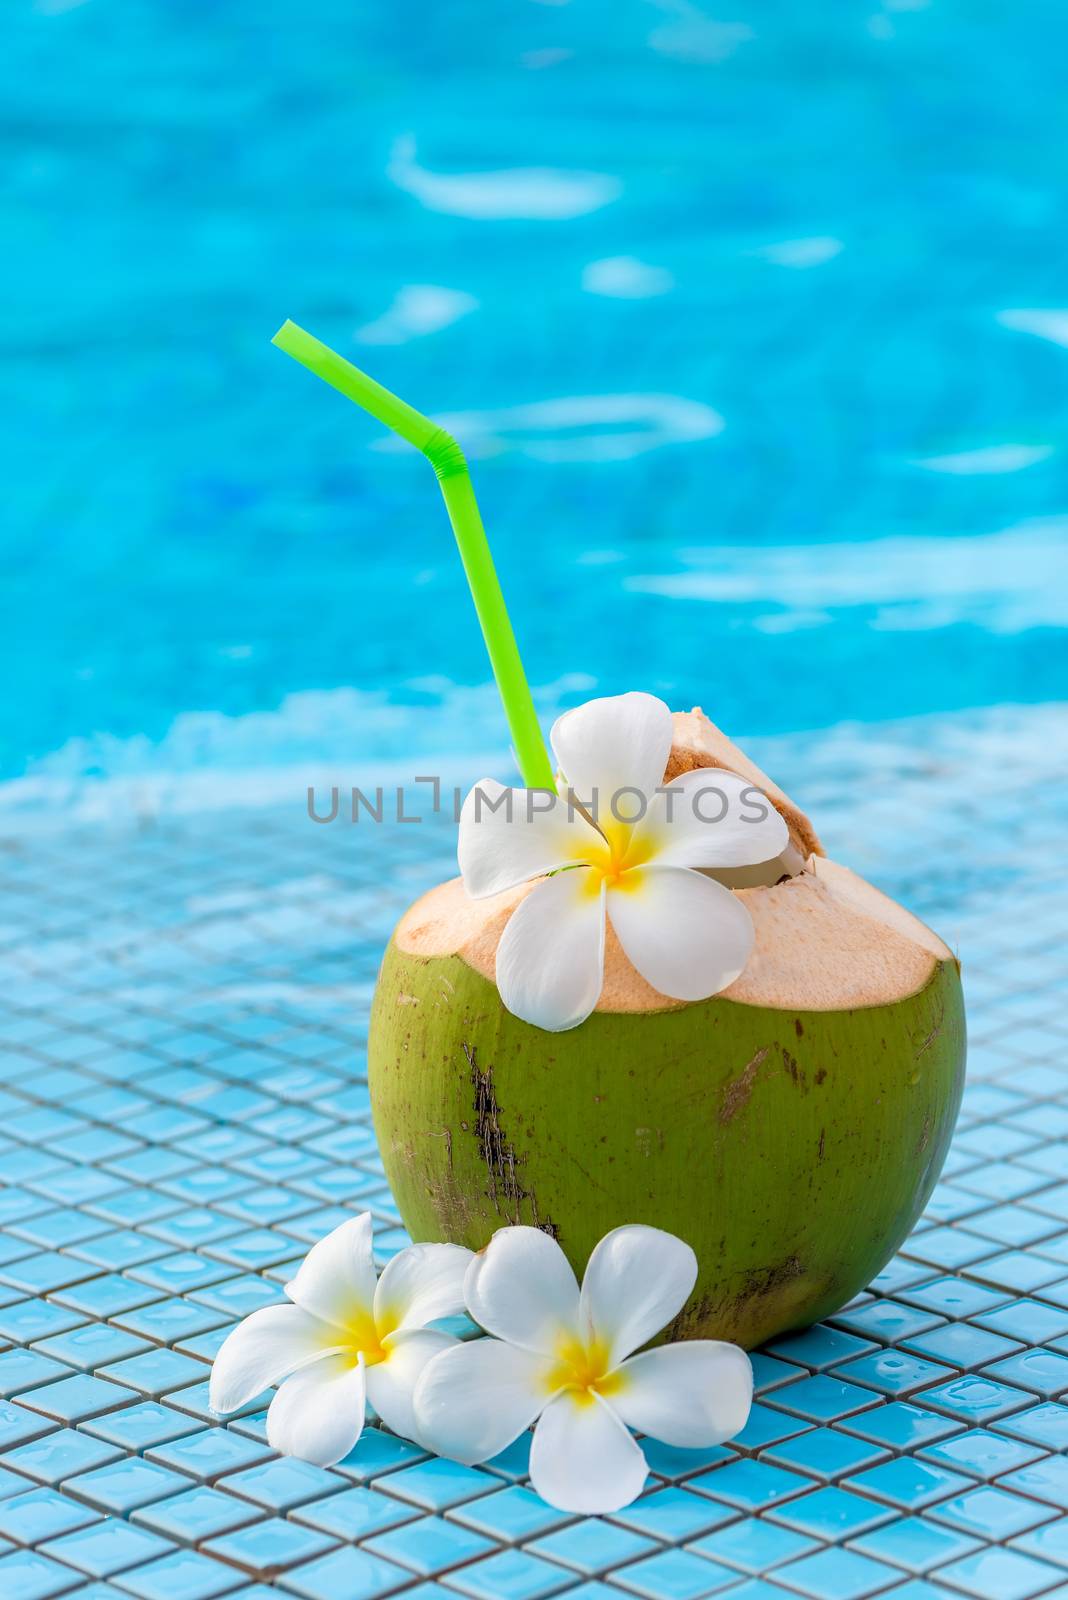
point(690, 1396)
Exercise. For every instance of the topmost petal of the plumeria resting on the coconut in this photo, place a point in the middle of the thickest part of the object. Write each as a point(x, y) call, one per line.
point(608, 745)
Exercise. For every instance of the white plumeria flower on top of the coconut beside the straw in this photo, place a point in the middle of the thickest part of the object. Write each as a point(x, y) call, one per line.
point(685, 934)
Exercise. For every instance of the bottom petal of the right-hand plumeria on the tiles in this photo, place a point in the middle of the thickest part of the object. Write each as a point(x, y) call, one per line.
point(583, 1457)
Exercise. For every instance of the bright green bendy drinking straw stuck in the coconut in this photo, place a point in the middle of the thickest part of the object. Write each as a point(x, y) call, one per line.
point(447, 458)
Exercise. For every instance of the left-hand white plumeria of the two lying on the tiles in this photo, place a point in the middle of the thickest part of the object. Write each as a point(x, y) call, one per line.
point(345, 1340)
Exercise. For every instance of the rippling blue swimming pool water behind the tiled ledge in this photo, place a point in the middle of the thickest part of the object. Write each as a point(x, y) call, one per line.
point(754, 322)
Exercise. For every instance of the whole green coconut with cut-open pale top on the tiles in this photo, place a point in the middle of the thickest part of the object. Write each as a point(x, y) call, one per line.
point(791, 1129)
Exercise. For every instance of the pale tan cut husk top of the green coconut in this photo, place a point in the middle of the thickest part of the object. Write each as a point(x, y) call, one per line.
point(826, 940)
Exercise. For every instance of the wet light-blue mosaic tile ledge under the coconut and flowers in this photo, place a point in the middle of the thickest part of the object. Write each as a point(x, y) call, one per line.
point(185, 1103)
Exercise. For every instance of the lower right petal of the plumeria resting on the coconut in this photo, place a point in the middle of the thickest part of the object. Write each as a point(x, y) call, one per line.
point(687, 935)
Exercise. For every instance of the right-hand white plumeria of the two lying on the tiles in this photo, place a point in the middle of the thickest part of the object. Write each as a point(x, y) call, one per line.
point(564, 1358)
